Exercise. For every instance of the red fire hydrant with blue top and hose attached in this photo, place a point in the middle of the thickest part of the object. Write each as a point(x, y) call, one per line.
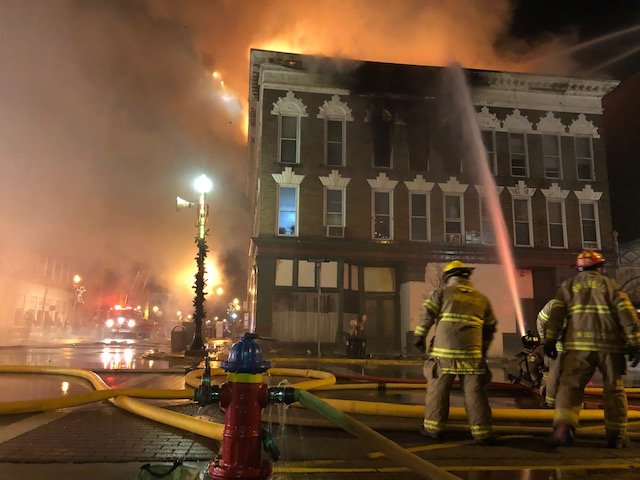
point(243, 396)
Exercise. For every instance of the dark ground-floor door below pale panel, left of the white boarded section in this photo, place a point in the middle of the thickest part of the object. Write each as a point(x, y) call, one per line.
point(381, 331)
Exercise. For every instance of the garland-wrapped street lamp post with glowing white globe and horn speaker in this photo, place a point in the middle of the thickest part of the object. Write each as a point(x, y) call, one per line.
point(203, 186)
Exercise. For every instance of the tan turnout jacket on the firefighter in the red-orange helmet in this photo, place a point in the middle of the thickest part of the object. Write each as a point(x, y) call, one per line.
point(599, 316)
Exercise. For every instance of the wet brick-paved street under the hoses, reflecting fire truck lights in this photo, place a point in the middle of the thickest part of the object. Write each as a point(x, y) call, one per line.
point(117, 442)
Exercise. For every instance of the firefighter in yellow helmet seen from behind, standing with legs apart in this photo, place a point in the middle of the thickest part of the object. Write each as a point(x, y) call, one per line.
point(464, 326)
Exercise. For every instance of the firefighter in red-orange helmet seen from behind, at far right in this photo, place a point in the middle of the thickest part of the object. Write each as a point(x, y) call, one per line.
point(601, 326)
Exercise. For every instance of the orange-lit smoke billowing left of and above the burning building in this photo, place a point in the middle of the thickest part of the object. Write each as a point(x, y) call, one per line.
point(110, 109)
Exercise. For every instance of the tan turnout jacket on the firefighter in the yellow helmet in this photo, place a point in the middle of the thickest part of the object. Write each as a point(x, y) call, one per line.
point(464, 327)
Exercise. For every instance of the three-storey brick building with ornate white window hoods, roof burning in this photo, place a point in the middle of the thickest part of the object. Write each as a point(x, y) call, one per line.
point(366, 181)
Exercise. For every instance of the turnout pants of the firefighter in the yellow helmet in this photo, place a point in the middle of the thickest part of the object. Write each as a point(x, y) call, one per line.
point(476, 401)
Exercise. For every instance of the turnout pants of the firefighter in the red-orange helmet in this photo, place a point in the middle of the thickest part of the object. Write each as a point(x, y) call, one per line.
point(577, 368)
